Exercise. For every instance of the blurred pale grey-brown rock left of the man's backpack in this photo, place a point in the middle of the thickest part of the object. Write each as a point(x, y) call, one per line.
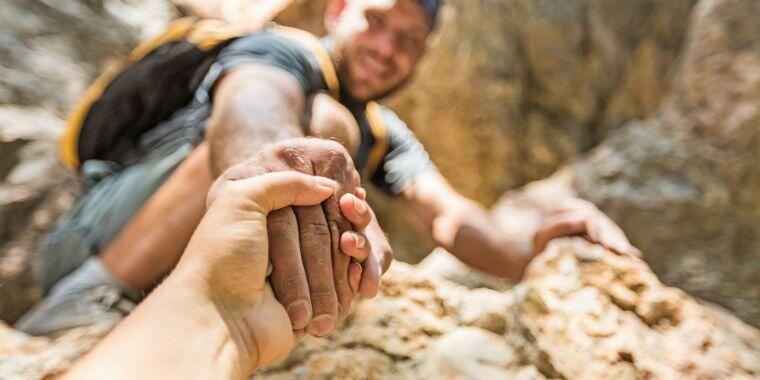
point(50, 51)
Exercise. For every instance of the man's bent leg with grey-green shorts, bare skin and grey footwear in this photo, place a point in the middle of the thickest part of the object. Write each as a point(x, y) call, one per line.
point(92, 292)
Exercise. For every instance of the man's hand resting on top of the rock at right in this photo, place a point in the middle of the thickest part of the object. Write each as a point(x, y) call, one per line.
point(579, 217)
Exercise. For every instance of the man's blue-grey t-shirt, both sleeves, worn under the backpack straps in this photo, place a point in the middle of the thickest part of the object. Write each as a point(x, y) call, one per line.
point(405, 158)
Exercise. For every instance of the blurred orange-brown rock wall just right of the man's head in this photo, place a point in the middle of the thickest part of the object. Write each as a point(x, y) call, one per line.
point(552, 79)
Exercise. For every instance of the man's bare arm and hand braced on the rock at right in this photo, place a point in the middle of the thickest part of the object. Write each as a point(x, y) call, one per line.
point(465, 229)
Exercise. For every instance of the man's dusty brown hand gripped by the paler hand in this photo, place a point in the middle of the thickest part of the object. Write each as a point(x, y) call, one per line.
point(310, 273)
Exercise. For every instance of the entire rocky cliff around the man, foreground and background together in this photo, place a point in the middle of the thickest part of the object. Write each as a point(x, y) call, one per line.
point(656, 105)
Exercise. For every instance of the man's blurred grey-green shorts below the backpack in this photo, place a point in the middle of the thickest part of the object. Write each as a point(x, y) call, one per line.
point(114, 196)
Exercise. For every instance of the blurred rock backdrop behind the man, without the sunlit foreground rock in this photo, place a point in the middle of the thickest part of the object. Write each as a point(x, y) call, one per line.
point(648, 108)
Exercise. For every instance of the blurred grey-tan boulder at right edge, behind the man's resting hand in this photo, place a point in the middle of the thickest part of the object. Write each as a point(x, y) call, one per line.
point(683, 183)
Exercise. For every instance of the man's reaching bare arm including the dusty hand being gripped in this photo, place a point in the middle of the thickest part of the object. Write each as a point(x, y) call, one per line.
point(255, 128)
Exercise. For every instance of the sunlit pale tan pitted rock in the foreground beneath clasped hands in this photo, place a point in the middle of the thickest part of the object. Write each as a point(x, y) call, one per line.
point(581, 313)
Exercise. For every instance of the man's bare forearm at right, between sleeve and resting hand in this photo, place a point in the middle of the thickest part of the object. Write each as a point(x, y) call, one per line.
point(463, 227)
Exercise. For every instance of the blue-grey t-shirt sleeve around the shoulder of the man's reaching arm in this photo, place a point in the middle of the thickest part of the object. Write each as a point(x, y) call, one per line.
point(268, 48)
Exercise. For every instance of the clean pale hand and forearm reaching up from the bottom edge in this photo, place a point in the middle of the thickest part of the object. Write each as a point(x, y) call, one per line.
point(215, 315)
